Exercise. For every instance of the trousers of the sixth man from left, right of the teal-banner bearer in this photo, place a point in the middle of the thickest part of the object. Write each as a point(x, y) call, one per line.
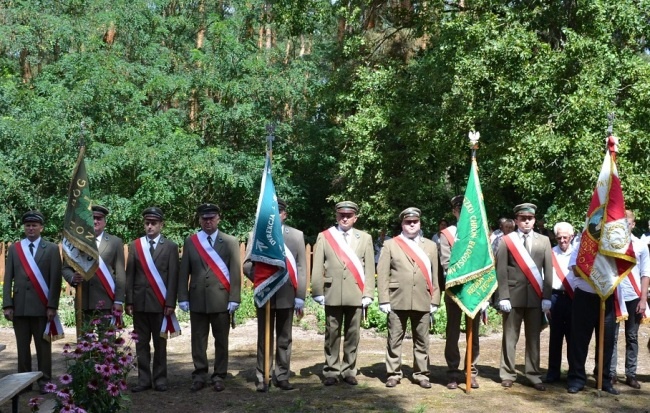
point(340, 319)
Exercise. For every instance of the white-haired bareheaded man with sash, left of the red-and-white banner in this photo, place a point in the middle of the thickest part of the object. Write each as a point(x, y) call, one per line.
point(561, 300)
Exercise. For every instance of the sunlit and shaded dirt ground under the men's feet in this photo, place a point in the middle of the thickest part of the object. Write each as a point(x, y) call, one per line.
point(371, 394)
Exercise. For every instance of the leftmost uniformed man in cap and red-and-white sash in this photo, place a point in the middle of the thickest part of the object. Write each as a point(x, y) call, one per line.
point(29, 262)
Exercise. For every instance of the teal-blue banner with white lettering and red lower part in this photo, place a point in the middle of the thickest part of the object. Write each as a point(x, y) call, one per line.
point(268, 243)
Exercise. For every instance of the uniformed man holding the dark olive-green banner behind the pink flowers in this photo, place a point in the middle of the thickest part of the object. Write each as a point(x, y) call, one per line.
point(101, 293)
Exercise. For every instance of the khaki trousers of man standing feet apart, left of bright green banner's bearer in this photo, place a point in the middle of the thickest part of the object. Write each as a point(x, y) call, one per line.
point(420, 323)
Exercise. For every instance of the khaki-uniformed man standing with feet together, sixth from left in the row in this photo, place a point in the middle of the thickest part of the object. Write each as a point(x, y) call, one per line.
point(343, 281)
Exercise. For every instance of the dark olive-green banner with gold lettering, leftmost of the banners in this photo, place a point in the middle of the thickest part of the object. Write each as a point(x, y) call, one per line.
point(79, 246)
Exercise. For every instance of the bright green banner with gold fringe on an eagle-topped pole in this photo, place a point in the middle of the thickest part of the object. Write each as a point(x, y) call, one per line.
point(471, 276)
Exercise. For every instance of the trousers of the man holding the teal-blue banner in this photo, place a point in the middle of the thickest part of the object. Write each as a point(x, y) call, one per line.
point(282, 320)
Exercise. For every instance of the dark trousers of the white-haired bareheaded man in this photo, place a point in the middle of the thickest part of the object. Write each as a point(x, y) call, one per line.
point(560, 326)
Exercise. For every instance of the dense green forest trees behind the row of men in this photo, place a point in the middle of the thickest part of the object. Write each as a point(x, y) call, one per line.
point(371, 100)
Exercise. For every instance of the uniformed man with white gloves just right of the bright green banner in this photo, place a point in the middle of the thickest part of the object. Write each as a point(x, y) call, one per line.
point(525, 278)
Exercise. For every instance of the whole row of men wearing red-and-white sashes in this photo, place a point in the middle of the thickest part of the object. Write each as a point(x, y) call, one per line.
point(535, 285)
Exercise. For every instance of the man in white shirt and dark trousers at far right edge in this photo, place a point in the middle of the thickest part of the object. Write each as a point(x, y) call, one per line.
point(634, 289)
